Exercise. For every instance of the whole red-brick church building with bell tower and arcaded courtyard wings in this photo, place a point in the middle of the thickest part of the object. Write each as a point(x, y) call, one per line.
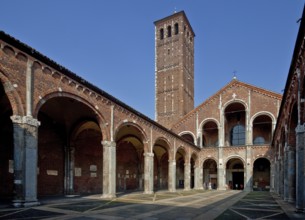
point(61, 135)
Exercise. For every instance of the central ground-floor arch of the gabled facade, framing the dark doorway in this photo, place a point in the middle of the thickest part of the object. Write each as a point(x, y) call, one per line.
point(235, 174)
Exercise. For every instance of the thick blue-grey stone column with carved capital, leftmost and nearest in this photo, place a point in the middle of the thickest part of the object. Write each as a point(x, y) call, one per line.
point(25, 160)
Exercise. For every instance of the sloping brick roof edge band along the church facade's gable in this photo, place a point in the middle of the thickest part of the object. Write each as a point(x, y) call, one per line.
point(233, 82)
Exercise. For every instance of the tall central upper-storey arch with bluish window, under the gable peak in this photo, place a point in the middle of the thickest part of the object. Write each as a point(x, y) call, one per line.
point(235, 120)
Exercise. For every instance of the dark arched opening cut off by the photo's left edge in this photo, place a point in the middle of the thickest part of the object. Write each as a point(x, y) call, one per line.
point(6, 146)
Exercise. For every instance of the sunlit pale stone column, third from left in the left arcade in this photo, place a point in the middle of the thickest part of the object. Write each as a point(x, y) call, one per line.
point(148, 173)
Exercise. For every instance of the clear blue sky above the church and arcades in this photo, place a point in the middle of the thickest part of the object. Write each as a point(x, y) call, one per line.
point(111, 43)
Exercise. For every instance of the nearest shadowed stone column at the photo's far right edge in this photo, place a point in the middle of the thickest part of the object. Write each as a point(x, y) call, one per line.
point(300, 176)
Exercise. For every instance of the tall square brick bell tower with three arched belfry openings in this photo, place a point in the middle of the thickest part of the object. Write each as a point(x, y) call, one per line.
point(174, 68)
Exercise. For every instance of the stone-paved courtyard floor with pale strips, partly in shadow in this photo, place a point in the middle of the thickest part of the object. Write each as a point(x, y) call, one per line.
point(181, 205)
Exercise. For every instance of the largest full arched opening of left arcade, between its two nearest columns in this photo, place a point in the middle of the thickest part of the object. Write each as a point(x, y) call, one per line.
point(69, 150)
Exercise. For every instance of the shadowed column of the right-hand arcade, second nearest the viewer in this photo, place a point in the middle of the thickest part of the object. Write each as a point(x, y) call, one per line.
point(291, 174)
